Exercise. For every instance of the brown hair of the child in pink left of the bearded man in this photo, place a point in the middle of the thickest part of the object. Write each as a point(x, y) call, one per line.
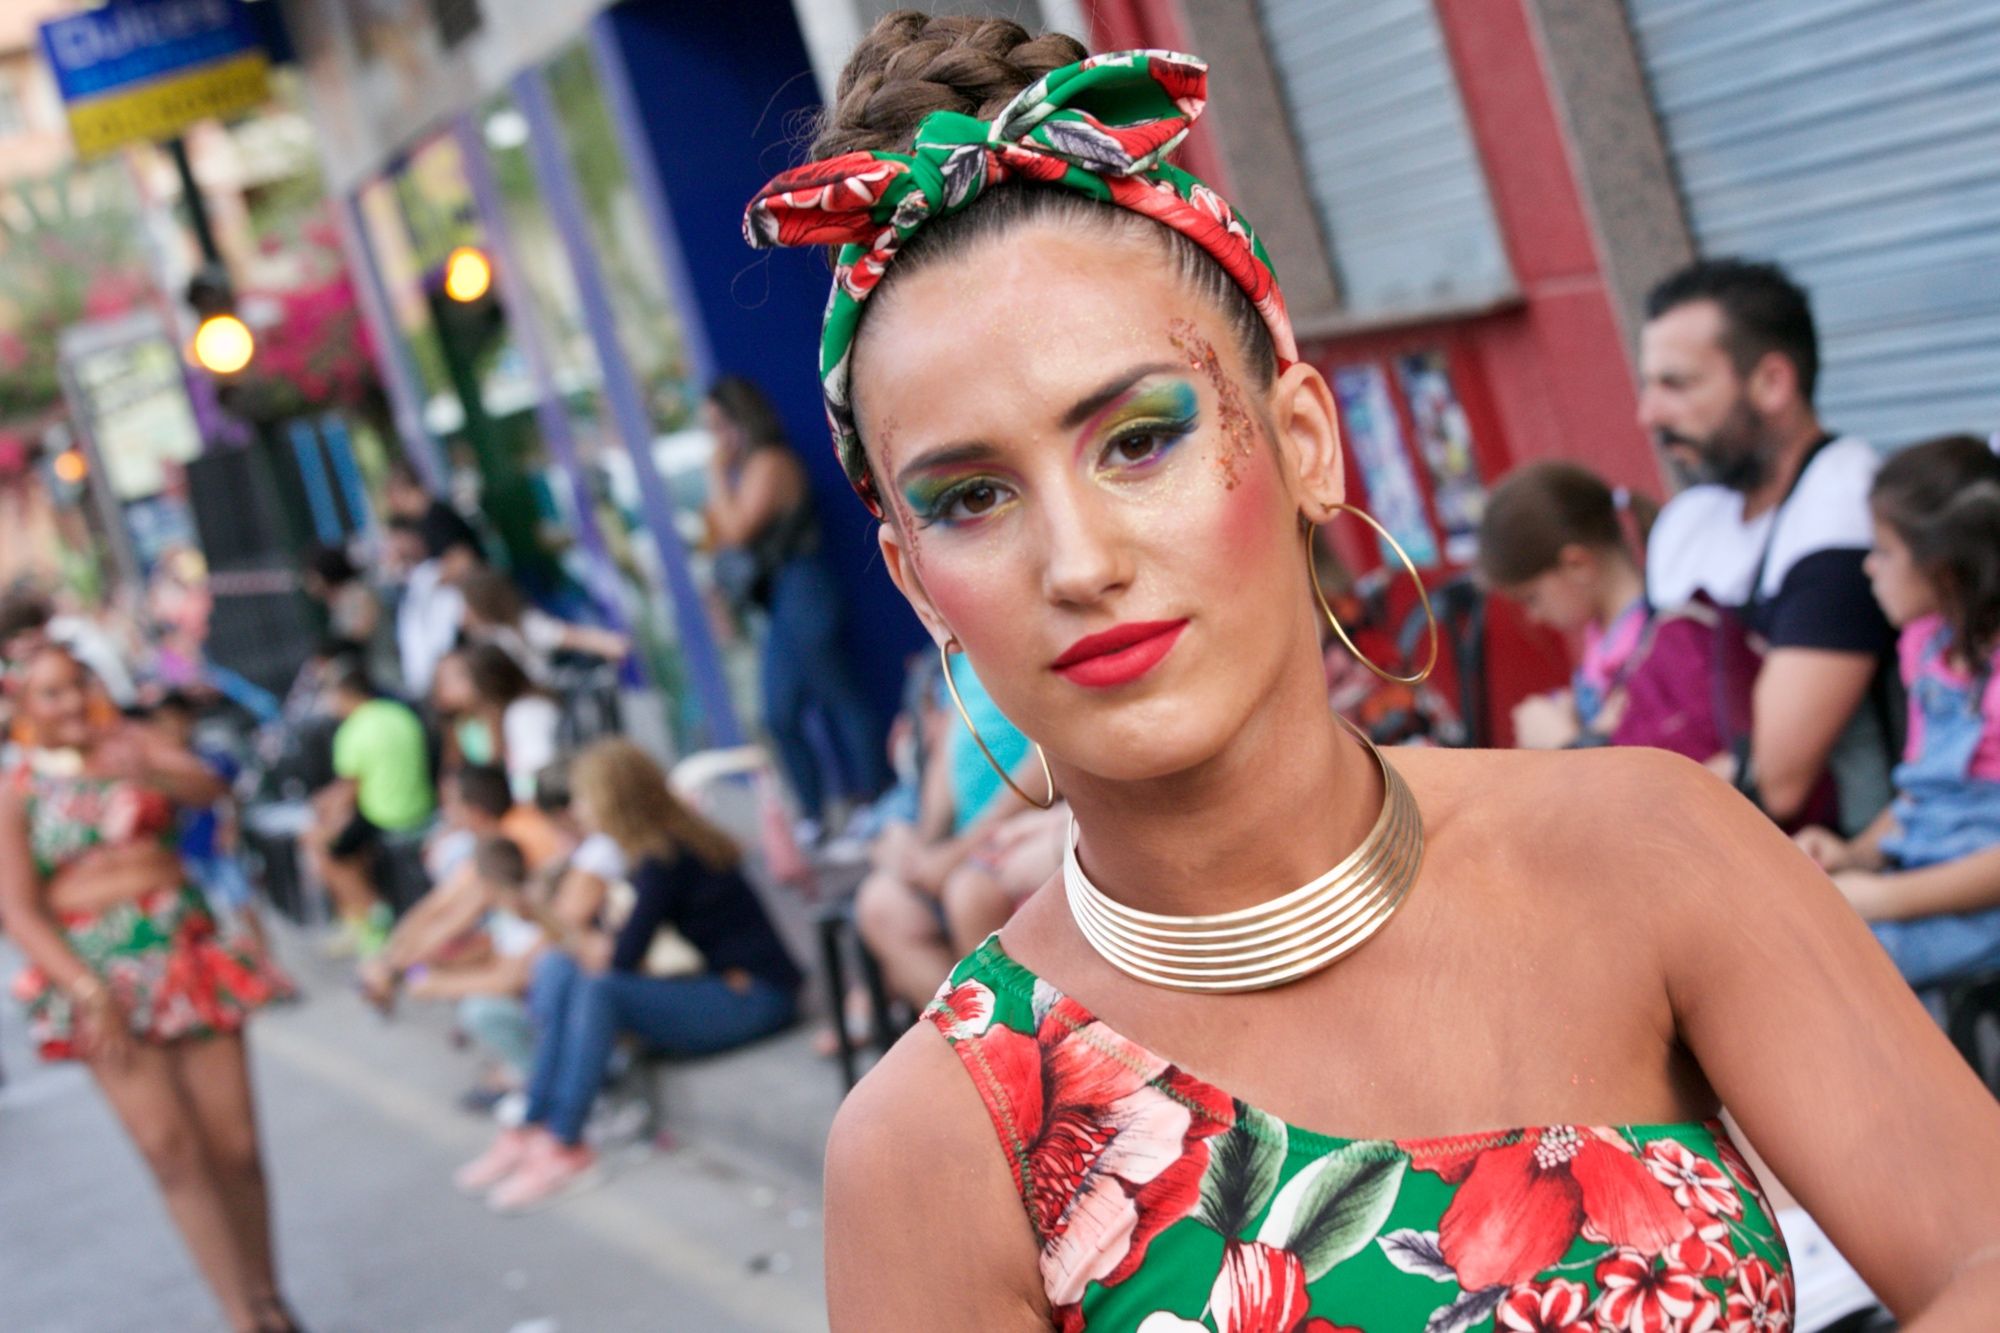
point(1545, 507)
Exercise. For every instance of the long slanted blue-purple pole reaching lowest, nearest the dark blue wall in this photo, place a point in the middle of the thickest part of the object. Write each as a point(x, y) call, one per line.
point(549, 159)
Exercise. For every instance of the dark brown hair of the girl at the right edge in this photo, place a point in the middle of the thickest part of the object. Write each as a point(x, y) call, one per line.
point(1943, 499)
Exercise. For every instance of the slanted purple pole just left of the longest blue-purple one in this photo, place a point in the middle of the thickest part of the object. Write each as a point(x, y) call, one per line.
point(521, 317)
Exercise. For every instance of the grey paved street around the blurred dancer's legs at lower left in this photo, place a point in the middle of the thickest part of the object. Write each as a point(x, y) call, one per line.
point(719, 1234)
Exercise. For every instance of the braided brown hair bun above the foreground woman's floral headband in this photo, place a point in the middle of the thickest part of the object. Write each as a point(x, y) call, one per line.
point(913, 65)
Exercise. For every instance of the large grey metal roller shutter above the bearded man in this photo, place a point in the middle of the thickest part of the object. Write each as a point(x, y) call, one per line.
point(1859, 145)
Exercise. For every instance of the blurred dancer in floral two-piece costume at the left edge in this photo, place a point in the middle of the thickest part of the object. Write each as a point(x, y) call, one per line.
point(129, 972)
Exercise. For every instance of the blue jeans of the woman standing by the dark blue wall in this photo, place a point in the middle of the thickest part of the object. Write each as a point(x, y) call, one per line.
point(805, 670)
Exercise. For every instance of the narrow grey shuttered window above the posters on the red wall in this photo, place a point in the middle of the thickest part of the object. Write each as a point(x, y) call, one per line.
point(1389, 155)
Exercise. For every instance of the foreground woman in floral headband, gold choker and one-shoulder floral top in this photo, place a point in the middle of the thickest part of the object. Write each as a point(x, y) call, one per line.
point(1179, 1092)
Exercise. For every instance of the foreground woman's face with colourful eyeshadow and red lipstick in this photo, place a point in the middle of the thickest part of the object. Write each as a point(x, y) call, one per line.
point(1071, 447)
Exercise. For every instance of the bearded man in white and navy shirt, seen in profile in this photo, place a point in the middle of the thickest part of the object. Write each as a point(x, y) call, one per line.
point(1775, 527)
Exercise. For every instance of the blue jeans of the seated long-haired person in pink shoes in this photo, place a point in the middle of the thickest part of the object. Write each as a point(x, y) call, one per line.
point(579, 1018)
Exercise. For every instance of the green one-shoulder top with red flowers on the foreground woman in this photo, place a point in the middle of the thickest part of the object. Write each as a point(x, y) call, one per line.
point(1165, 1206)
